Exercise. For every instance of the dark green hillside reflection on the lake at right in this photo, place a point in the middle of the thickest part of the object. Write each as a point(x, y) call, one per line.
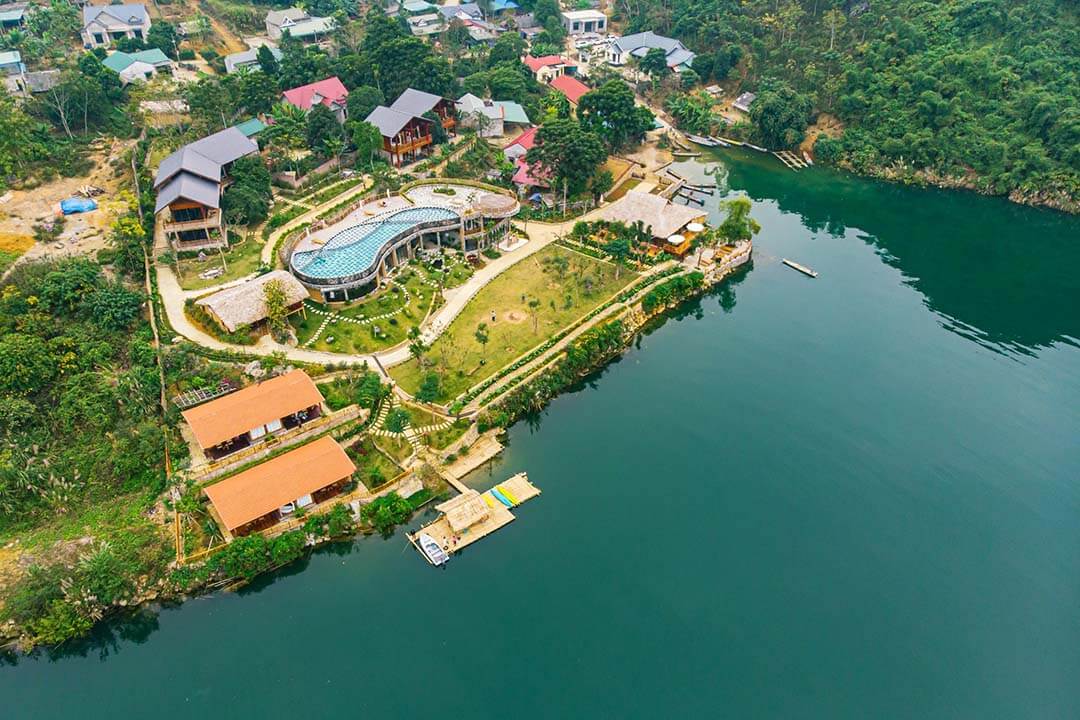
point(998, 274)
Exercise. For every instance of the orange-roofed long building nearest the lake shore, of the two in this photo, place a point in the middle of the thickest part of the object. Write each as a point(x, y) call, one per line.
point(263, 496)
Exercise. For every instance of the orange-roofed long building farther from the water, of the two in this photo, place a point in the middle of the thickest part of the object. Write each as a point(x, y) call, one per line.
point(254, 414)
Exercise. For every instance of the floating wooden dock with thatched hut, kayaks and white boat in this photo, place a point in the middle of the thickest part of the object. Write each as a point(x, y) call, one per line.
point(471, 517)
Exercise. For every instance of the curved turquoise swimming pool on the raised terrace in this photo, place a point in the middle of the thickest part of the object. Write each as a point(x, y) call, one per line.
point(357, 251)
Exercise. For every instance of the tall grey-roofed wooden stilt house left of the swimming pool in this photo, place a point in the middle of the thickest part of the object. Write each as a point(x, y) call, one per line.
point(190, 185)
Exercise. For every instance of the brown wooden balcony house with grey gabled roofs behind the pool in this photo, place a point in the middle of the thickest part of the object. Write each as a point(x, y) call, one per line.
point(407, 132)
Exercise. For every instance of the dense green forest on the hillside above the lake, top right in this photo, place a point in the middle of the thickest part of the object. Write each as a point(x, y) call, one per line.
point(977, 92)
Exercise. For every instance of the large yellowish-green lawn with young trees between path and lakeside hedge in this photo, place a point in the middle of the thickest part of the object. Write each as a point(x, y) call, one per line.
point(568, 286)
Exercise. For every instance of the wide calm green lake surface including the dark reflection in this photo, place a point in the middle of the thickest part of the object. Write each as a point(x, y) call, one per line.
point(850, 497)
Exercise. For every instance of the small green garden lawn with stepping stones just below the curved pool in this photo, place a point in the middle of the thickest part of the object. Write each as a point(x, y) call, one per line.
point(342, 336)
